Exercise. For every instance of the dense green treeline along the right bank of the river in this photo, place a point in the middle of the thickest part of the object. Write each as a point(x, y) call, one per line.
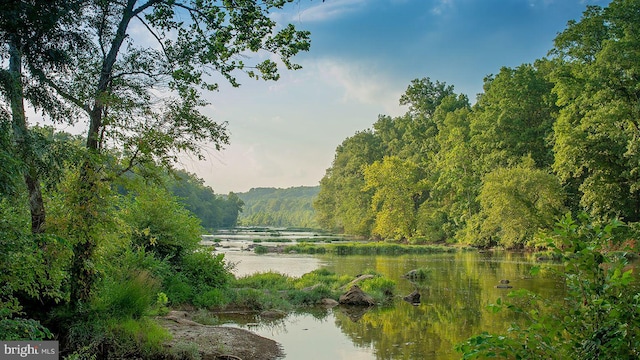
point(561, 134)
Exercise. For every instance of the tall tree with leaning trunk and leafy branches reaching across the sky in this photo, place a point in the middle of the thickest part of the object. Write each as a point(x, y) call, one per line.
point(117, 79)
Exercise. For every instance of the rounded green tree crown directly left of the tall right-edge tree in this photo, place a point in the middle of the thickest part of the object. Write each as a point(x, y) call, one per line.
point(514, 118)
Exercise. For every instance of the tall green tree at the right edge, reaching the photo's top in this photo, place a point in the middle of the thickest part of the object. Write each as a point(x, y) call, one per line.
point(596, 136)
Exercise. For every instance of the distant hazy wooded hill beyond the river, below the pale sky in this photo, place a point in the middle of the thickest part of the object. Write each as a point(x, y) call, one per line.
point(292, 207)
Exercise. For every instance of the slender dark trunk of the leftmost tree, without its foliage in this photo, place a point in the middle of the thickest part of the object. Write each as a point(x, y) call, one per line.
point(21, 138)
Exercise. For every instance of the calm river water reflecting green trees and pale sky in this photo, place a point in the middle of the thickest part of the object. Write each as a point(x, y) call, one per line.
point(453, 308)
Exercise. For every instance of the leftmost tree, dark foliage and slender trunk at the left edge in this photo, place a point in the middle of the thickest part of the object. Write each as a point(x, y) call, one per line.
point(34, 35)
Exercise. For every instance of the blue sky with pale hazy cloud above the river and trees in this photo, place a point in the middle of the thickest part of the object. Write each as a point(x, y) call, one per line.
point(364, 53)
